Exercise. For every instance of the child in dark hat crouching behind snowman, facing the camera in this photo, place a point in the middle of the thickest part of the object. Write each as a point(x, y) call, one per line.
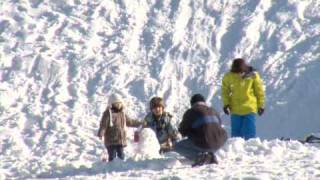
point(160, 122)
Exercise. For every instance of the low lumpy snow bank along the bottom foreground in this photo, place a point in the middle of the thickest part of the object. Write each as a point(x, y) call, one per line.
point(239, 159)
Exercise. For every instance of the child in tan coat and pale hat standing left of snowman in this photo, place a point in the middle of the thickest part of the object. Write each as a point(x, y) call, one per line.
point(113, 127)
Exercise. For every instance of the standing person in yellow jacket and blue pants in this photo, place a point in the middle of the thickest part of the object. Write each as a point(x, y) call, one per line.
point(243, 96)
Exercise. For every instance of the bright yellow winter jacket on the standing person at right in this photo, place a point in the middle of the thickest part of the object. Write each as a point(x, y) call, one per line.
point(243, 95)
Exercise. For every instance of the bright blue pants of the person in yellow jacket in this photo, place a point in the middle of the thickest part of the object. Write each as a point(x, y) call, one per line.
point(243, 126)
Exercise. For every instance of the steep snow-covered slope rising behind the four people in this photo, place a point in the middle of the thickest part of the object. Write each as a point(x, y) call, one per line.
point(59, 61)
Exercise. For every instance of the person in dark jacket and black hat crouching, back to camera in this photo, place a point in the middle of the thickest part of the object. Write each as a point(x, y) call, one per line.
point(201, 125)
